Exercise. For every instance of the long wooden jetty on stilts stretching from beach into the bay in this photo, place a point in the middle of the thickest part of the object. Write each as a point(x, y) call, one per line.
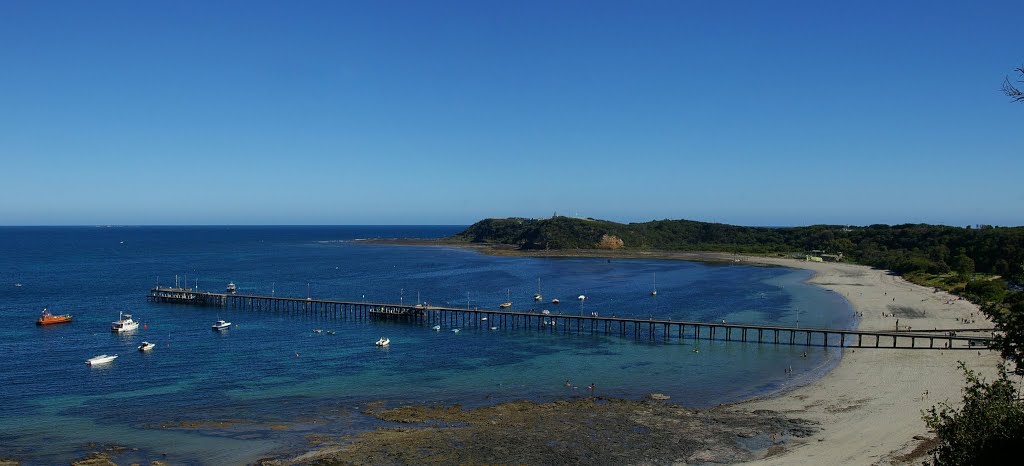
point(650, 329)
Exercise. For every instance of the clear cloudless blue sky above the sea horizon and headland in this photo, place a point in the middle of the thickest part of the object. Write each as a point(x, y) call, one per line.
point(428, 112)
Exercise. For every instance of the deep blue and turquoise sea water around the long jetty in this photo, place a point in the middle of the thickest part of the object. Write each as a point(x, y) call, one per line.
point(271, 380)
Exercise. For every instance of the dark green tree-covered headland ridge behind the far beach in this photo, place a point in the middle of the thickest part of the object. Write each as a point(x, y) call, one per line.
point(904, 249)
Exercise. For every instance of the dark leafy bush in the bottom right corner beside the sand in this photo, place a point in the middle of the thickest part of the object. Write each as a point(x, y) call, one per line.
point(989, 427)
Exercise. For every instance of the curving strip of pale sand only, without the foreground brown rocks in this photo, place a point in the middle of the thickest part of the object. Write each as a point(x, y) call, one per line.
point(870, 406)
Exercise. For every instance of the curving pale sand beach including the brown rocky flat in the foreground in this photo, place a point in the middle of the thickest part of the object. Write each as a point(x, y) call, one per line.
point(867, 411)
